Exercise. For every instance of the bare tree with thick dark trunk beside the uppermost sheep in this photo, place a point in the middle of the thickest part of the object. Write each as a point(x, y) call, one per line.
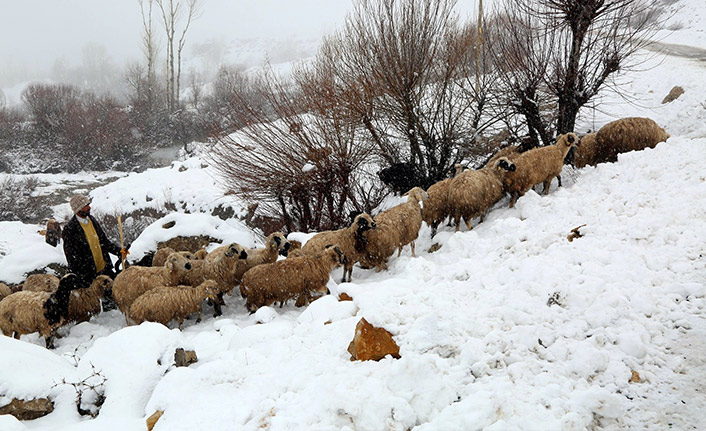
point(589, 41)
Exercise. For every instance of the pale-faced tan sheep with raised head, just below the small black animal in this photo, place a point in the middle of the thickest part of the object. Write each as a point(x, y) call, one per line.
point(396, 227)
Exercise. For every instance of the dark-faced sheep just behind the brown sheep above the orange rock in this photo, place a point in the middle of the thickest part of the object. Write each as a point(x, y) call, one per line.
point(351, 240)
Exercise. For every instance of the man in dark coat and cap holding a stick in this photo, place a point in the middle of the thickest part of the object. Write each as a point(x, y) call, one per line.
point(87, 247)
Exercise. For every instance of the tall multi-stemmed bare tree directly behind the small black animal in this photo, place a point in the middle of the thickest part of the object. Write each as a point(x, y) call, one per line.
point(400, 66)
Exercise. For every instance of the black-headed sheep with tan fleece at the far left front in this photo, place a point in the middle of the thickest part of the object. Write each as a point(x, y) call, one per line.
point(28, 312)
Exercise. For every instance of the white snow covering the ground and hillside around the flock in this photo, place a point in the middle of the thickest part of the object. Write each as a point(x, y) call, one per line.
point(508, 326)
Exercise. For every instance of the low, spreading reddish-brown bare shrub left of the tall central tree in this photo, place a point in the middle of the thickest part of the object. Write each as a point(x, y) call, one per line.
point(299, 161)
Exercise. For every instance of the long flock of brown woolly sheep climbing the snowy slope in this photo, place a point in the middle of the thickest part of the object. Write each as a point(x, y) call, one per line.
point(179, 282)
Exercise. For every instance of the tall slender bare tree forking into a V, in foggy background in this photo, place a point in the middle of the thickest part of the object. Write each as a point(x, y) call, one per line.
point(176, 18)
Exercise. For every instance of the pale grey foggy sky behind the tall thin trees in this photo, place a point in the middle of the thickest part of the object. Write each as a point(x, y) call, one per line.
point(91, 42)
